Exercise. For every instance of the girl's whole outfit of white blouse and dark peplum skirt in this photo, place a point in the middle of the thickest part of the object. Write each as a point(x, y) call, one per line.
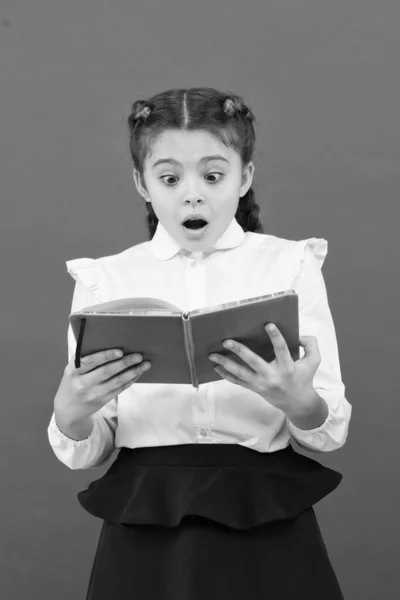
point(207, 497)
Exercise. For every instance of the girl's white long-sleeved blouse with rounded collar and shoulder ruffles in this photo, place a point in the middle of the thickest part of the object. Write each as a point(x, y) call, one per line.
point(241, 265)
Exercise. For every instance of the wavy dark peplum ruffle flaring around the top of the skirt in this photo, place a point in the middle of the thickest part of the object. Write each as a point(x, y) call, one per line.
point(238, 496)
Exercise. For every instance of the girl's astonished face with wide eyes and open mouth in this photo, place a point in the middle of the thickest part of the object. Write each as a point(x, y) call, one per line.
point(182, 180)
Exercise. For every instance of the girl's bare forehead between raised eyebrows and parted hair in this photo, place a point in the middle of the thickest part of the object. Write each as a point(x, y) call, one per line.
point(188, 146)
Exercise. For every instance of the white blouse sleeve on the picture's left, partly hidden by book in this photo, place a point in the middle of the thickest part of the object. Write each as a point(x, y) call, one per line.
point(96, 449)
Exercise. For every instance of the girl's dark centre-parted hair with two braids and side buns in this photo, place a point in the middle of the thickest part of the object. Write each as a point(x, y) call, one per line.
point(223, 115)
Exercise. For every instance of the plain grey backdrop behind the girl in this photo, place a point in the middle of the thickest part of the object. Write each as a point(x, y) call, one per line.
point(323, 80)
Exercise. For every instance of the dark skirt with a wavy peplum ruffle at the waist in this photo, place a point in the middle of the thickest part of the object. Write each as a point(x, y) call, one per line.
point(196, 521)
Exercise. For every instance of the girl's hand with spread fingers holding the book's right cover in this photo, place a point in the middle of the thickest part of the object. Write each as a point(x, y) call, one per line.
point(286, 384)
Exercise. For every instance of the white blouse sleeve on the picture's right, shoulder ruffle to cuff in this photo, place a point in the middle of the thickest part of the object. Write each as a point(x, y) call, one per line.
point(315, 319)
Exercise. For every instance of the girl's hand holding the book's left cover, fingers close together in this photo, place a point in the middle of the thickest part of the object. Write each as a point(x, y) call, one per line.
point(101, 377)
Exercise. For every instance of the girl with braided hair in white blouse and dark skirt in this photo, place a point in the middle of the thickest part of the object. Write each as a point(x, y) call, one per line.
point(207, 497)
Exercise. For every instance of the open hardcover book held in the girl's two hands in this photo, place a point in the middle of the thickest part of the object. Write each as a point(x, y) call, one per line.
point(178, 343)
